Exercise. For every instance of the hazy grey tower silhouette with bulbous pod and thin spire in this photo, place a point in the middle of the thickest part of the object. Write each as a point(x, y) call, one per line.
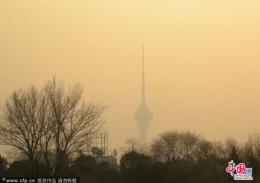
point(143, 116)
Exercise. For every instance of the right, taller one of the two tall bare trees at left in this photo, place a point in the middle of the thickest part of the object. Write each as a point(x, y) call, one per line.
point(71, 124)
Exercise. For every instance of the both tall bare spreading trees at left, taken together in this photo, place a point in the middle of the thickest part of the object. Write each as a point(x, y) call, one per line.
point(50, 125)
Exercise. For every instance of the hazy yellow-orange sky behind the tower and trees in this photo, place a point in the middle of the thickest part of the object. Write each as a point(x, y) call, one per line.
point(202, 60)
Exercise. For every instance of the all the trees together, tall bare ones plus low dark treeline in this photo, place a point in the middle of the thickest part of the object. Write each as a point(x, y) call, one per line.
point(51, 130)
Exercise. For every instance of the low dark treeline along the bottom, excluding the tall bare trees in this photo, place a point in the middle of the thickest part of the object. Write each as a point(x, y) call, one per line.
point(173, 156)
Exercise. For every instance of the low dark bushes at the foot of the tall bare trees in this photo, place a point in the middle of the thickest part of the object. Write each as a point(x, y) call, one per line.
point(83, 166)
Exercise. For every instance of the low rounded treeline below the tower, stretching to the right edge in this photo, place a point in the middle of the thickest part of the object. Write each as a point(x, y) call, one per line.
point(186, 157)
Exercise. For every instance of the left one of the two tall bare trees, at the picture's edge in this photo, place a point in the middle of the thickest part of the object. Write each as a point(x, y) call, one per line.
point(22, 123)
